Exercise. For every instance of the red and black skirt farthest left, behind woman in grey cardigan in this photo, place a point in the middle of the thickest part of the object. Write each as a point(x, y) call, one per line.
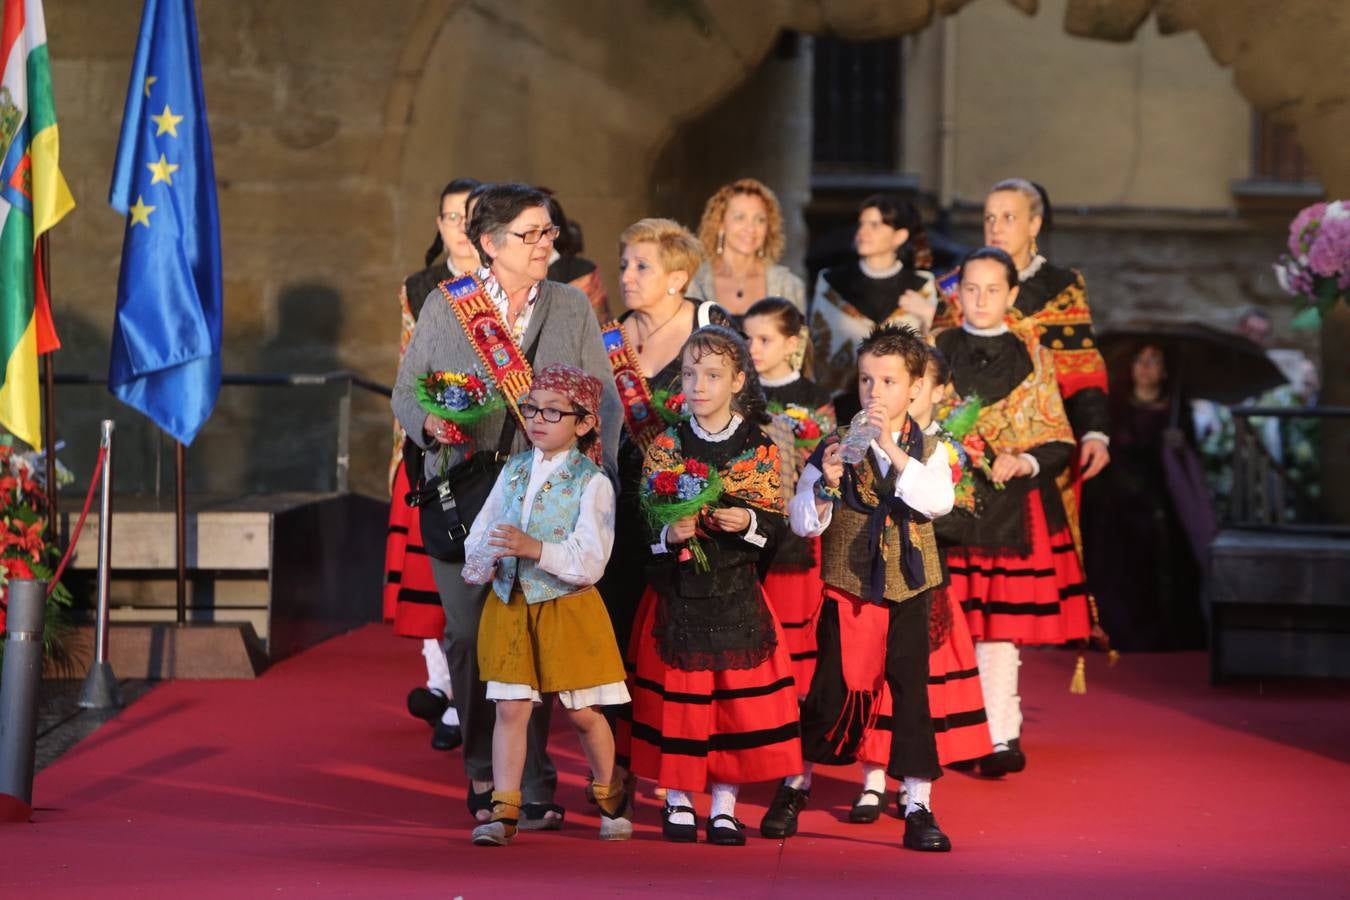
point(411, 600)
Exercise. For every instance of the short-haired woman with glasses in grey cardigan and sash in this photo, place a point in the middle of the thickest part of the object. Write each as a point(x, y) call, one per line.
point(545, 323)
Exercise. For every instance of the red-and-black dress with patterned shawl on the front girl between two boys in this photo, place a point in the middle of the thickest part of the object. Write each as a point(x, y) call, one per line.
point(713, 693)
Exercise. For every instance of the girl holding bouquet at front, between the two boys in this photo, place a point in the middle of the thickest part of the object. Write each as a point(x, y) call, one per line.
point(713, 696)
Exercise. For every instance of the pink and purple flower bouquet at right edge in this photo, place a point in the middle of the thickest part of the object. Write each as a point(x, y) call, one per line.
point(1317, 269)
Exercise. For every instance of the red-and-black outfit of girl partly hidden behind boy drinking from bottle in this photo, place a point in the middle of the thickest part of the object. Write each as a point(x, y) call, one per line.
point(793, 585)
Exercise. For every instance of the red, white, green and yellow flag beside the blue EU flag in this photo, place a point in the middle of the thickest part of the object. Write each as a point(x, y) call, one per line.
point(33, 199)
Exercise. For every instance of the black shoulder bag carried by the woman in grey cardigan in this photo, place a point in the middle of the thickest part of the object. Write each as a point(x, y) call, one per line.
point(449, 504)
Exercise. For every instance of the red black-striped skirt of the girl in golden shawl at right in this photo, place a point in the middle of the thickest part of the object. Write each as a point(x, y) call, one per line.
point(1039, 598)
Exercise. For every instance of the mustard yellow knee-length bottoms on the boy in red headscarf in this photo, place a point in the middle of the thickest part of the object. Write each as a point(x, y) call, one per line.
point(566, 644)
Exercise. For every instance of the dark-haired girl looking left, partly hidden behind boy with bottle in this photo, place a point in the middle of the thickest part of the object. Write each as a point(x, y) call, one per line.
point(804, 414)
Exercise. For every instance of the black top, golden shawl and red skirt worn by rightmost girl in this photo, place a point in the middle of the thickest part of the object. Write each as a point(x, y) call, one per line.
point(1017, 571)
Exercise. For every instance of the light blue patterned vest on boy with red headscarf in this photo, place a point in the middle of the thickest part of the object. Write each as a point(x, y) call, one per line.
point(553, 517)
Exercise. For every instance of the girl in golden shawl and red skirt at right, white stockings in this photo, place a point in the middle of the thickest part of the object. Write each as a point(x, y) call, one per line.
point(1016, 573)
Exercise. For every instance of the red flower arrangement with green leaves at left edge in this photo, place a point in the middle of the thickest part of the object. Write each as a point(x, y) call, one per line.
point(25, 551)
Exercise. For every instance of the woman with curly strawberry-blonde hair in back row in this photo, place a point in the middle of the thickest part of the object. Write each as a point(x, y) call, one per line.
point(743, 240)
